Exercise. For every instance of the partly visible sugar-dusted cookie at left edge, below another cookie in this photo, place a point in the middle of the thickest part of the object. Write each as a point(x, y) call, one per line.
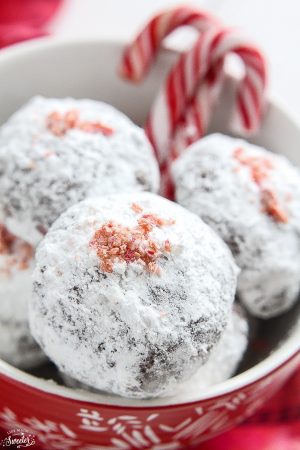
point(17, 346)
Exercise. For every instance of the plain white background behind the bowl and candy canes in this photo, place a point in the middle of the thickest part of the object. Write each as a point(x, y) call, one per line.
point(273, 24)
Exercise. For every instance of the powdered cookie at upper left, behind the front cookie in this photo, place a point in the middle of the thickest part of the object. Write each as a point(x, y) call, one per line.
point(56, 152)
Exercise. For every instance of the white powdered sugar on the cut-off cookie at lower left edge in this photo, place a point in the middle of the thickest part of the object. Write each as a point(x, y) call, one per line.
point(17, 346)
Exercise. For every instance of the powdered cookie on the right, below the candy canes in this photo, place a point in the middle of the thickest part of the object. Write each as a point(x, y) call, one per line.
point(251, 197)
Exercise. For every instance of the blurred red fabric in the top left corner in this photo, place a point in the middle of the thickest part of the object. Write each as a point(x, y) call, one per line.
point(24, 19)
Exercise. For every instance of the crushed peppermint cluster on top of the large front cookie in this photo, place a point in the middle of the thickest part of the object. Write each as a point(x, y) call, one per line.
point(115, 242)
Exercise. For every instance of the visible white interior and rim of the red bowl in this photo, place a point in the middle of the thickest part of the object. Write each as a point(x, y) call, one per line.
point(90, 69)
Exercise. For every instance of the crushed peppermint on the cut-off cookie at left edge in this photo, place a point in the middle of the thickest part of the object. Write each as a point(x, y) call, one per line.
point(19, 251)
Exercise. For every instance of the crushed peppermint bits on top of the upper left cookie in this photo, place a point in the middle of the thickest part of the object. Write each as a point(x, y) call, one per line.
point(59, 124)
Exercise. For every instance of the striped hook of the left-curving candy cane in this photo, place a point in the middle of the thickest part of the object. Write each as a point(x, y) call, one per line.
point(139, 56)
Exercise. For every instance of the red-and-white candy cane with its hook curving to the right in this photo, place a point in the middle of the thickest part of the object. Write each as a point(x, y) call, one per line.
point(185, 103)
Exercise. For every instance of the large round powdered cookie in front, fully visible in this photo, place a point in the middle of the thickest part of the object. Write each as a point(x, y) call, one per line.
point(131, 293)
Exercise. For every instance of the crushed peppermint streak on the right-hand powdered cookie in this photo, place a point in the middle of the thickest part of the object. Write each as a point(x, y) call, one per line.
point(260, 168)
